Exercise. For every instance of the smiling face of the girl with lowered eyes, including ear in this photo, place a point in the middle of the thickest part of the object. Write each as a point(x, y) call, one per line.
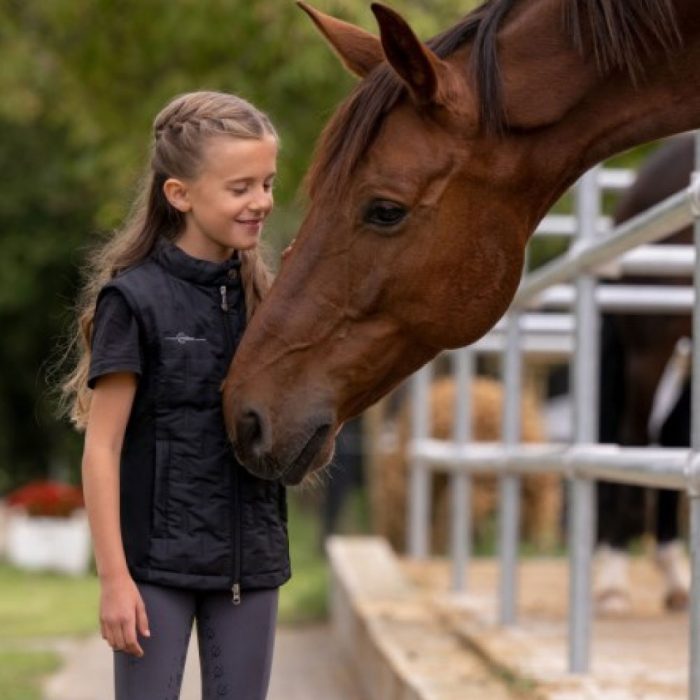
point(226, 203)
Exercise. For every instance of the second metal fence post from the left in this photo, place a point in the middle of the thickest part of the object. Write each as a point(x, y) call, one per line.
point(460, 481)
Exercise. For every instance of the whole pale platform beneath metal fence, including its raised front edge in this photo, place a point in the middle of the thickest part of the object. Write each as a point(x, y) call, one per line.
point(414, 638)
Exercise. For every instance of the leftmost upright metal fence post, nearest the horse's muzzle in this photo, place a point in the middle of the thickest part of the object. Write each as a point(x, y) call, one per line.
point(418, 514)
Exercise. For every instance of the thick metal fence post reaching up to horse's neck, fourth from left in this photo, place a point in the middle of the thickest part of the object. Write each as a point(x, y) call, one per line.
point(585, 391)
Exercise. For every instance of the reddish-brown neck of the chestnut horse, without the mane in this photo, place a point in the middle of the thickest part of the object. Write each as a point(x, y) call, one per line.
point(577, 116)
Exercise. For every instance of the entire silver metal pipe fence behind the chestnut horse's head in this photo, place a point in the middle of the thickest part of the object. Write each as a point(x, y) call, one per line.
point(571, 281)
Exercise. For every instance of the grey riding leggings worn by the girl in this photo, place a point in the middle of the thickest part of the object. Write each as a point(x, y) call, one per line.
point(235, 645)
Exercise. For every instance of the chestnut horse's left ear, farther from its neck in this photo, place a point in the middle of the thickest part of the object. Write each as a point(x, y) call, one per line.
point(359, 50)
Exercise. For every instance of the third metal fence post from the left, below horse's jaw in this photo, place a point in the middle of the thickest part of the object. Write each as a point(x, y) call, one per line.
point(510, 482)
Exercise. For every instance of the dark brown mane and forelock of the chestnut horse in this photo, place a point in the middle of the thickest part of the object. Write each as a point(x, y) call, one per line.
point(620, 34)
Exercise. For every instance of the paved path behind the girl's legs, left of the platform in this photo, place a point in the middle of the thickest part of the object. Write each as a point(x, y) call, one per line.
point(307, 666)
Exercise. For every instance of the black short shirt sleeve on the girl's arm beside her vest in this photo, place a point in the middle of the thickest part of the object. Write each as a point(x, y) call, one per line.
point(115, 338)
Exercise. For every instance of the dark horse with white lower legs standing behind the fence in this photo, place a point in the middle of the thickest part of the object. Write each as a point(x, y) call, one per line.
point(635, 350)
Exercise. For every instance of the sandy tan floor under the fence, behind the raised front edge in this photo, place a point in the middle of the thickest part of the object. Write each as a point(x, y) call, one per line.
point(642, 655)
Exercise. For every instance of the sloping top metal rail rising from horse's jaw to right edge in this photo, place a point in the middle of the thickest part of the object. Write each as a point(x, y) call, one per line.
point(658, 222)
